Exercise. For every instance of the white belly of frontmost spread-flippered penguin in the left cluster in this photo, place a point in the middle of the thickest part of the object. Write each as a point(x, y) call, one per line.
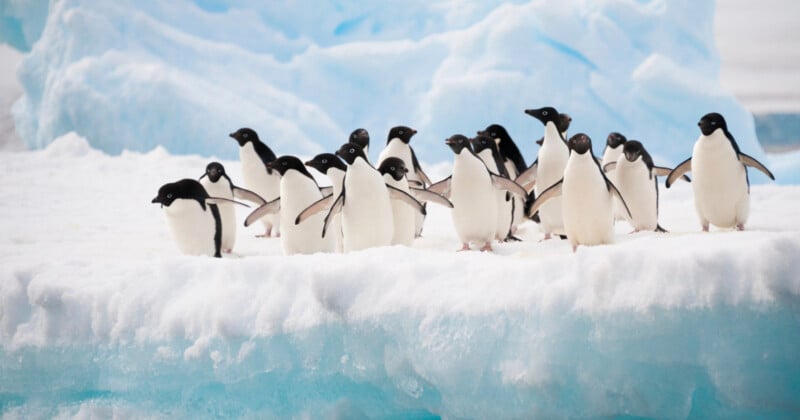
point(367, 211)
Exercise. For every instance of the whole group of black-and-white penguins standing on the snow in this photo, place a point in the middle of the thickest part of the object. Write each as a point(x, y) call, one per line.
point(571, 193)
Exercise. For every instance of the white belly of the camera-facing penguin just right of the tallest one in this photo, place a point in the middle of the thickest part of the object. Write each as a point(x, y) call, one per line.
point(588, 213)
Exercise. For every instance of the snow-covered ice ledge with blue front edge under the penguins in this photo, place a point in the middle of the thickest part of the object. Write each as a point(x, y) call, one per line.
point(101, 316)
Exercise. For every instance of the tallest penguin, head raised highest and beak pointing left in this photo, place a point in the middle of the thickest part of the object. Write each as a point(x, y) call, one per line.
point(548, 169)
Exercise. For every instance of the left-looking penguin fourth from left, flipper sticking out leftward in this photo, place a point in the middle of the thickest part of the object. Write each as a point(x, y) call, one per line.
point(298, 190)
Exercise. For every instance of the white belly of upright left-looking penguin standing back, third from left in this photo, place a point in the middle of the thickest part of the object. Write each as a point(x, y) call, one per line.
point(256, 179)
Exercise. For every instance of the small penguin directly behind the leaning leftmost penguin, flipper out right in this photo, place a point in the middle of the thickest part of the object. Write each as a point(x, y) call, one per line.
point(218, 184)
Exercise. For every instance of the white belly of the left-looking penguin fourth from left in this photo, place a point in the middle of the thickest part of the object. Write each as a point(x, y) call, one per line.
point(297, 193)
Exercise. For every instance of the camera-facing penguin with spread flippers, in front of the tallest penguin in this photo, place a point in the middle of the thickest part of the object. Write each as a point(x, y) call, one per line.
point(587, 197)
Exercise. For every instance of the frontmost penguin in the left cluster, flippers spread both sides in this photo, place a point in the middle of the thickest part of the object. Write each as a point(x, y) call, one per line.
point(365, 203)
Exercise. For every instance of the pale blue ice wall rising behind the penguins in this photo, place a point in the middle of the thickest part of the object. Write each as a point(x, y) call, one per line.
point(183, 74)
